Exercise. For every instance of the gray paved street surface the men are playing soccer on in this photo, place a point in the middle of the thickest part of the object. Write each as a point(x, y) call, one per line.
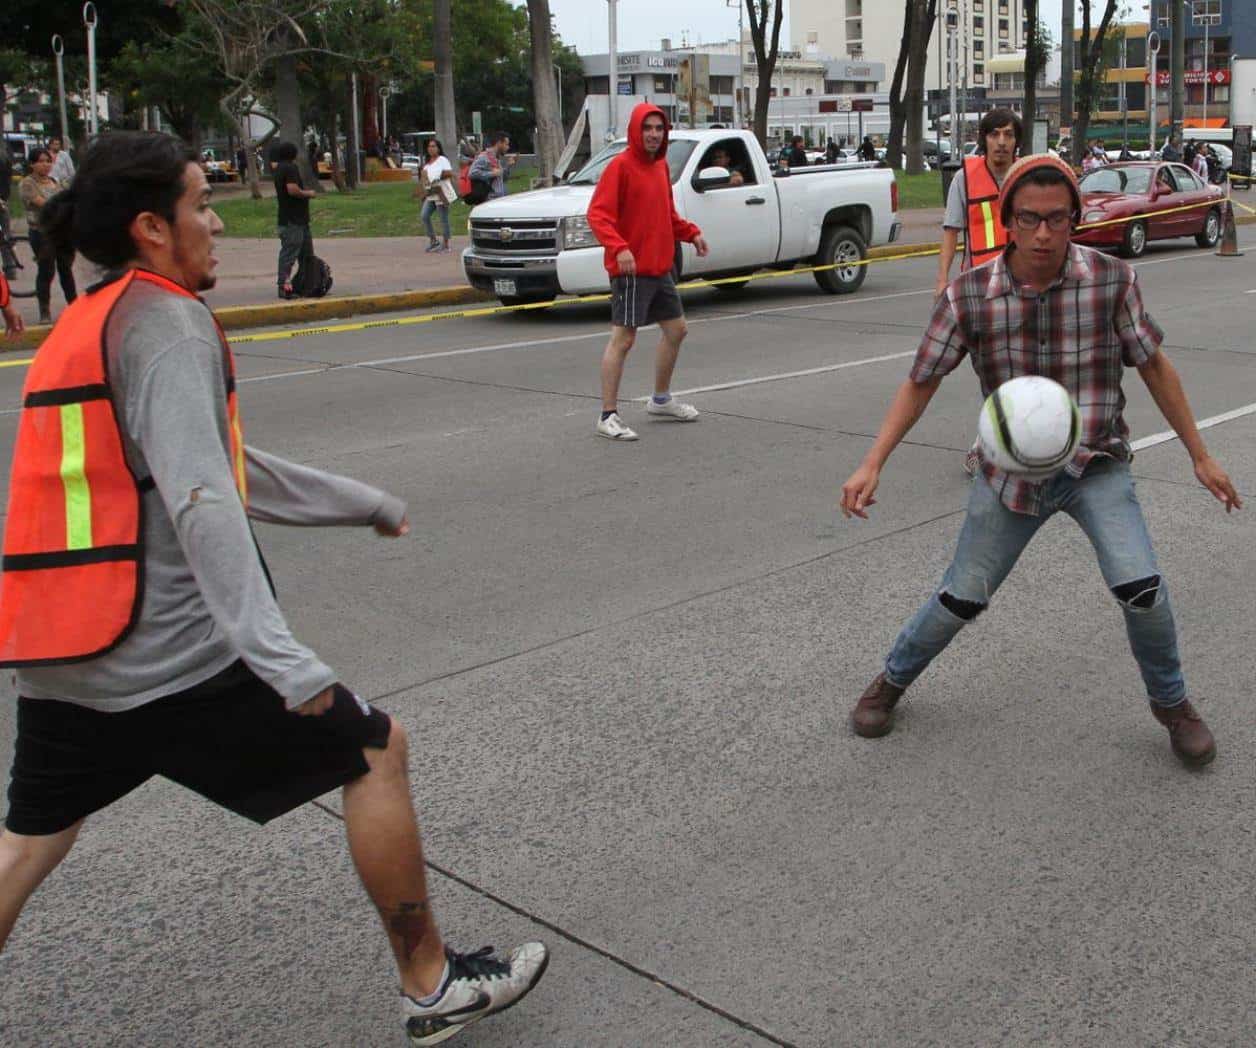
point(626, 673)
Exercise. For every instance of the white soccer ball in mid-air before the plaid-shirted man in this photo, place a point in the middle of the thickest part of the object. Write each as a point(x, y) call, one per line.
point(1029, 427)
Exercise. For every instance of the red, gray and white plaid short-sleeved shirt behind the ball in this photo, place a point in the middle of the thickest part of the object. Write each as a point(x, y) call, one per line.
point(1083, 331)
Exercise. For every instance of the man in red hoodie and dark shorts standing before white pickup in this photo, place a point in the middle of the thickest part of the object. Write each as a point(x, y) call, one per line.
point(635, 218)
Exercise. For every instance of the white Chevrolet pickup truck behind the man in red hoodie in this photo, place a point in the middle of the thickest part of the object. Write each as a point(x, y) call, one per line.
point(537, 246)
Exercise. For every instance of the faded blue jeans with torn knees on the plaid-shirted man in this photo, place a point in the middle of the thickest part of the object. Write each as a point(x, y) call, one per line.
point(1106, 507)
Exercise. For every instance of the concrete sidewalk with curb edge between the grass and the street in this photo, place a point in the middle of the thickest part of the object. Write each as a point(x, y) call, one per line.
point(372, 276)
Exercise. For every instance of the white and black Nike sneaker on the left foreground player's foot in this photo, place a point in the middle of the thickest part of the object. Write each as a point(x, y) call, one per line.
point(478, 985)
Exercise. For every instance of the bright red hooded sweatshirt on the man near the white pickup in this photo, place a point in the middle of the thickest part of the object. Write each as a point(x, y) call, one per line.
point(632, 207)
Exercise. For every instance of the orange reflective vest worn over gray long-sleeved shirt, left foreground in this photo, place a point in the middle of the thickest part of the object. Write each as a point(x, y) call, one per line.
point(73, 542)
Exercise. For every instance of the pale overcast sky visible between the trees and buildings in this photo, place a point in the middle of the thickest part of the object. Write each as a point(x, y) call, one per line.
point(583, 23)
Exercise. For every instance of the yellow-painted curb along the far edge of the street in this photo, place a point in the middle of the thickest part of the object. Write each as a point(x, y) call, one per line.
point(305, 311)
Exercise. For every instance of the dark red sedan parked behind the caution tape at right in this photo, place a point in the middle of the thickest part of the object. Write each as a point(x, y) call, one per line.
point(1137, 190)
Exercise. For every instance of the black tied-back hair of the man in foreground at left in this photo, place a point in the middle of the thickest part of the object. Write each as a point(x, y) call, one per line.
point(122, 175)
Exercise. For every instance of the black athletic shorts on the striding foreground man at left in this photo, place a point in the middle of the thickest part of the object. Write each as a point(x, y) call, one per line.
point(229, 740)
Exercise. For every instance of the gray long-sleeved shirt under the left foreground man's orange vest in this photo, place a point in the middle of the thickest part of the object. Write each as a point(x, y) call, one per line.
point(207, 599)
